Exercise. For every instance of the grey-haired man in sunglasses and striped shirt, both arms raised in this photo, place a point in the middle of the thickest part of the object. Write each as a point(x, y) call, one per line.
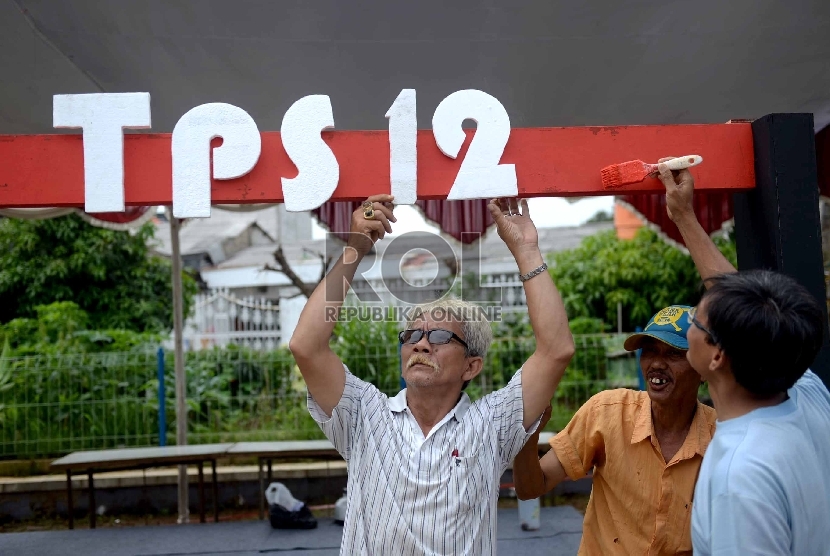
point(425, 465)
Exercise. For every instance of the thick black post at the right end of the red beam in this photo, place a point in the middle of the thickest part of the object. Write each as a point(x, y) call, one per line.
point(777, 224)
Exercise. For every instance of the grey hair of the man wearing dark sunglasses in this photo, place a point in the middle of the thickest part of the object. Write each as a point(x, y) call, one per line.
point(474, 324)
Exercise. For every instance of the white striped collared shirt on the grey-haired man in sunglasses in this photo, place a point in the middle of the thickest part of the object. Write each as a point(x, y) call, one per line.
point(409, 494)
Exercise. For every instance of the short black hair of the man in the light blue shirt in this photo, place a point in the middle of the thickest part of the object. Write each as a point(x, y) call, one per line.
point(769, 326)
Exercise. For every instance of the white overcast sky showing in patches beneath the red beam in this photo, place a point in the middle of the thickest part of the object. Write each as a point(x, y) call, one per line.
point(548, 212)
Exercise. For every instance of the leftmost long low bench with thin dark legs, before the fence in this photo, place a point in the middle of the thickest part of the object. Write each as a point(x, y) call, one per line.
point(93, 461)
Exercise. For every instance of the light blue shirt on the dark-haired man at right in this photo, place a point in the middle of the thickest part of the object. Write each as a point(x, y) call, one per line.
point(763, 486)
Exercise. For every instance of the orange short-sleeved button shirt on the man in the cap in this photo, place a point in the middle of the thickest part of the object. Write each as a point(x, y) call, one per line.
point(639, 504)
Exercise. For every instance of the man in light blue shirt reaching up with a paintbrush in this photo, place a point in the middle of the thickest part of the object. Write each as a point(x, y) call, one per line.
point(763, 486)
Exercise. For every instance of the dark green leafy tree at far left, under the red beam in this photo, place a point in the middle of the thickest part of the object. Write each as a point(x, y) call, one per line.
point(109, 275)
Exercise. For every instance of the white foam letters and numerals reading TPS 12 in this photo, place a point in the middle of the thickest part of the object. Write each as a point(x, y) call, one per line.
point(103, 117)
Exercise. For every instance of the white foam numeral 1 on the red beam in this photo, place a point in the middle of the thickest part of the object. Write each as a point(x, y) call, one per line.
point(403, 150)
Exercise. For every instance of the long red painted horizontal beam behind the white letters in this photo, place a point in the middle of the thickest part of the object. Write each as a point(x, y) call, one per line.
point(47, 170)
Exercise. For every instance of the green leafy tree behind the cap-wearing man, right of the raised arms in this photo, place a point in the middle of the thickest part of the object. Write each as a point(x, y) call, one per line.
point(643, 274)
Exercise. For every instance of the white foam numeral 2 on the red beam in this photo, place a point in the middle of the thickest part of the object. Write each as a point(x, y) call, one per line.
point(480, 175)
